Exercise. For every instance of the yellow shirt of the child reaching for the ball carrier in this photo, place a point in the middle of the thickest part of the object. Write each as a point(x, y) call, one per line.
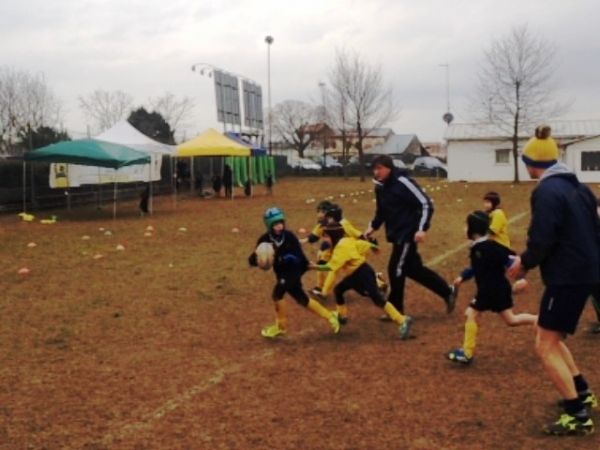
point(348, 255)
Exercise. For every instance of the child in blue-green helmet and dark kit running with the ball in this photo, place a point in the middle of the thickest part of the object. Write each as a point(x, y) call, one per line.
point(289, 265)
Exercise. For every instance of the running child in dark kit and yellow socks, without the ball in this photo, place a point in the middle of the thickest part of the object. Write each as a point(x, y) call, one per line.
point(489, 261)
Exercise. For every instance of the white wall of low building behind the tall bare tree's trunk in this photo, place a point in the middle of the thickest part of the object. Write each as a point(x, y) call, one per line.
point(476, 161)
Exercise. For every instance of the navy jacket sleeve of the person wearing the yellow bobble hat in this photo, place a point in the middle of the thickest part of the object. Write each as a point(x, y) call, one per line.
point(546, 220)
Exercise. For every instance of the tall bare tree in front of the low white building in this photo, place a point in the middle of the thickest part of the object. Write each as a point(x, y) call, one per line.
point(515, 85)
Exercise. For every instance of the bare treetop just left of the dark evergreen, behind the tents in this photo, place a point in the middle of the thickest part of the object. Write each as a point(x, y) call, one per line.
point(105, 108)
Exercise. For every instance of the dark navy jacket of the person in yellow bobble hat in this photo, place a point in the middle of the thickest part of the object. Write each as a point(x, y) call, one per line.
point(563, 237)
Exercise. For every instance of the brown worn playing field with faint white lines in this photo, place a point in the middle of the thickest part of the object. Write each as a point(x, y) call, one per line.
point(159, 347)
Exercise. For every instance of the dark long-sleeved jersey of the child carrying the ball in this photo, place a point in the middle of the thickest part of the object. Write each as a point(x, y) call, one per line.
point(290, 262)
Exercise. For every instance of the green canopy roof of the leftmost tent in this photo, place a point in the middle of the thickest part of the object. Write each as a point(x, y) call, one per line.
point(89, 152)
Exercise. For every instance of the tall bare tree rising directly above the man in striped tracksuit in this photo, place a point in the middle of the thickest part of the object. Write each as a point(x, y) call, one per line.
point(364, 102)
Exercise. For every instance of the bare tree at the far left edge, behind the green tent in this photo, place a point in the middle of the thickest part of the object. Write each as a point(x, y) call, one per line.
point(26, 103)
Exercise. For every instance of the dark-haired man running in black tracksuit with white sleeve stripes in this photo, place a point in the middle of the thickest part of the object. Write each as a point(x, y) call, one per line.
point(406, 212)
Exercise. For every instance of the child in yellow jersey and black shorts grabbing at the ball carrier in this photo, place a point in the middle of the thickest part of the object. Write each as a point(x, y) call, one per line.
point(349, 256)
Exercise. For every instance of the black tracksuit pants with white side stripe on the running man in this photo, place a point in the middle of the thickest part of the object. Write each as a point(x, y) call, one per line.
point(405, 261)
